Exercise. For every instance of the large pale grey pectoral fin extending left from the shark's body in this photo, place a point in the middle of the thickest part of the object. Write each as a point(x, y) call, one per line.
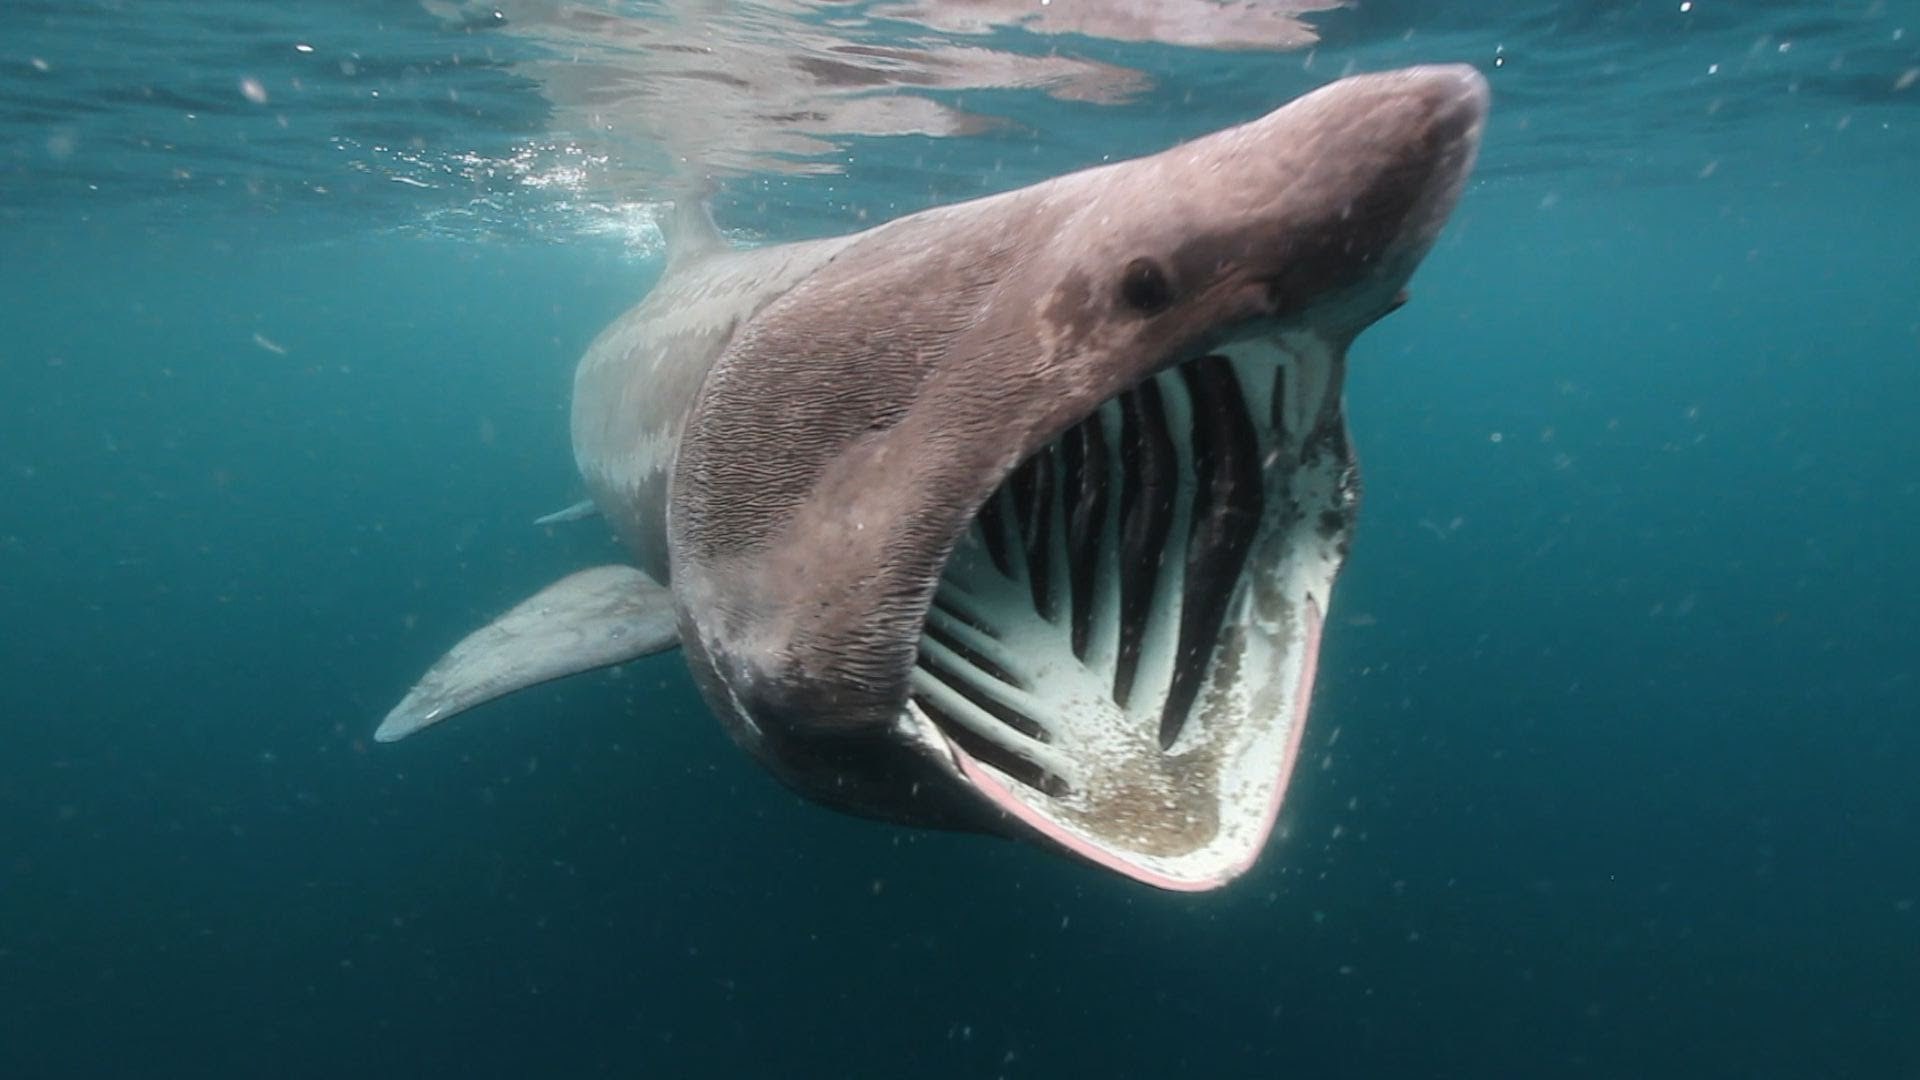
point(583, 622)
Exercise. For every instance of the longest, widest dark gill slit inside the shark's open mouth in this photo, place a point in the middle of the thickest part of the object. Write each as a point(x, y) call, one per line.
point(1226, 516)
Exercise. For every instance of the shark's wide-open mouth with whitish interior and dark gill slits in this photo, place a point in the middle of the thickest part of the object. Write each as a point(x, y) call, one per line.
point(1122, 647)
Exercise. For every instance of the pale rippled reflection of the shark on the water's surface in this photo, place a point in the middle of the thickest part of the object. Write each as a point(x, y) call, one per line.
point(711, 89)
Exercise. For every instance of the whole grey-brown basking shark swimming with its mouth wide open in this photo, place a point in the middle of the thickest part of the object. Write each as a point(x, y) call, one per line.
point(1017, 516)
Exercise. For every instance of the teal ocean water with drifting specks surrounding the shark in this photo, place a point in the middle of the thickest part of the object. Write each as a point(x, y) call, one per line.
point(1614, 756)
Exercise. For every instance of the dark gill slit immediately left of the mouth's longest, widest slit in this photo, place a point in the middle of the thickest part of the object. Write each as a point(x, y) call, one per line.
point(1149, 483)
